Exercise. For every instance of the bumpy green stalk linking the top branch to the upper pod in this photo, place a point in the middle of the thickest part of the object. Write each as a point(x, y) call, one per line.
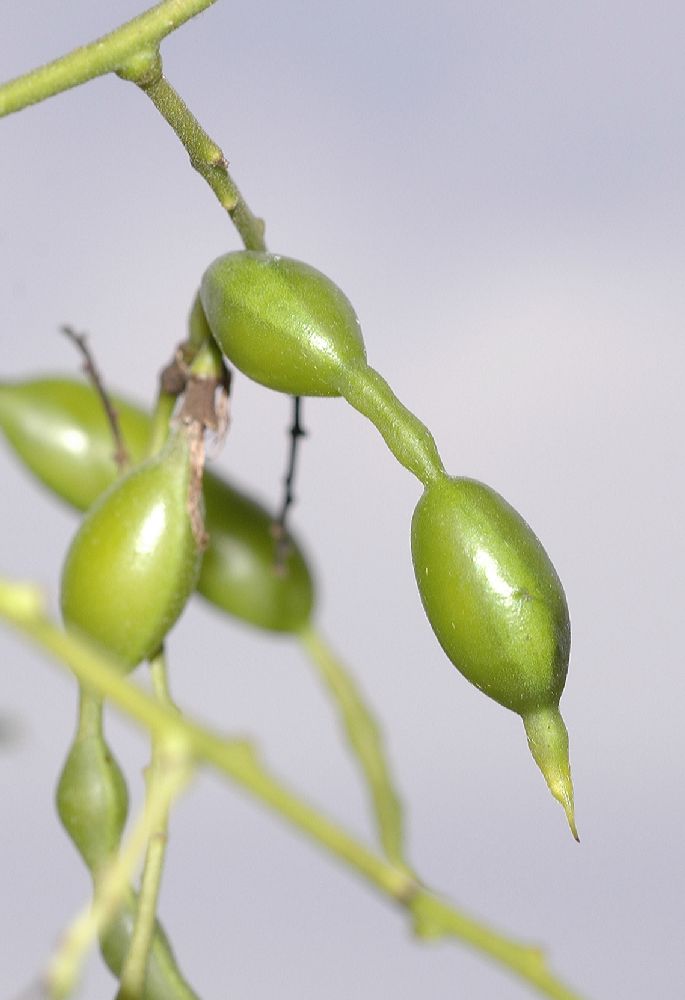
point(205, 156)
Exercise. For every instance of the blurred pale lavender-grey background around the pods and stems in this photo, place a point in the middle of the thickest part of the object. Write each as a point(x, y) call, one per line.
point(499, 189)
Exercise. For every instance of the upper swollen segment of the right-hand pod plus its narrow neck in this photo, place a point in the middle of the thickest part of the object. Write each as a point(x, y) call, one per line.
point(288, 326)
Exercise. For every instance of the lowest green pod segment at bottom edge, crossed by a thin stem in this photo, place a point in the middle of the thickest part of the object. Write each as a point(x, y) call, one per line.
point(163, 979)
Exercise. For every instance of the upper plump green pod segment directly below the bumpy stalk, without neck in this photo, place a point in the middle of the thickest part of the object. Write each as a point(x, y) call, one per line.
point(281, 322)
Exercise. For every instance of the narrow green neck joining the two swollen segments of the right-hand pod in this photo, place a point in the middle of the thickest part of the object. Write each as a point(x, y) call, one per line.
point(406, 436)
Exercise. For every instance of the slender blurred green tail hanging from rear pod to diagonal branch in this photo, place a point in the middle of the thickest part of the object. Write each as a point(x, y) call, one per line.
point(364, 737)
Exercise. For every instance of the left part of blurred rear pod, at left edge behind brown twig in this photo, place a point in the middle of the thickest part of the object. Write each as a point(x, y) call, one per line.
point(59, 429)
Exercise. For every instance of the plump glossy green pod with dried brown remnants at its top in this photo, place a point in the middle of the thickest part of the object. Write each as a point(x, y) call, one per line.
point(134, 561)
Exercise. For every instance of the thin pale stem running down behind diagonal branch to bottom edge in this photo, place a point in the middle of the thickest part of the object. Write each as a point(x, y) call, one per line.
point(135, 967)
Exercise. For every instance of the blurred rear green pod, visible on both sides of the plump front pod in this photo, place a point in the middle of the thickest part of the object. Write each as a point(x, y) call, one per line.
point(238, 574)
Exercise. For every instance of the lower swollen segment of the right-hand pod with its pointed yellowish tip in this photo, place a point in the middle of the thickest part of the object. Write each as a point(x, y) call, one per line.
point(498, 609)
